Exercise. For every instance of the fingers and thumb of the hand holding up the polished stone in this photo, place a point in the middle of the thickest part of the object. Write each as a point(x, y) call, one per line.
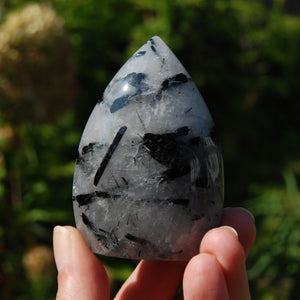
point(217, 272)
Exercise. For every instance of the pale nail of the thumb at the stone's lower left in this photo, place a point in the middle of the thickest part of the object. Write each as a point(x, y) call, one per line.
point(62, 246)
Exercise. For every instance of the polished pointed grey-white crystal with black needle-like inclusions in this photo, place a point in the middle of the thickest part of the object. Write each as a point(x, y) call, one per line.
point(148, 180)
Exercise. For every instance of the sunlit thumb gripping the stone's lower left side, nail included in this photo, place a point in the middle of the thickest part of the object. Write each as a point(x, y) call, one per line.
point(80, 274)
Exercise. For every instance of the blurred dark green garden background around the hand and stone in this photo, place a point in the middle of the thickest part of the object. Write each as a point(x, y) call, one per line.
point(56, 58)
